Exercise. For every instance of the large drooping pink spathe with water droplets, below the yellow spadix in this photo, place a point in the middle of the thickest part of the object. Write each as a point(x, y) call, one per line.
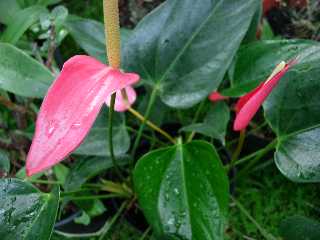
point(70, 109)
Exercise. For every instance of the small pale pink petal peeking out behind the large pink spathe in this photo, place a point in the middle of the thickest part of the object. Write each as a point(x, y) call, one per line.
point(120, 104)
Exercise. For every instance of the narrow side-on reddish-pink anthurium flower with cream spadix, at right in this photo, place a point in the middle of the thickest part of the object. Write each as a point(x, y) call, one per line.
point(248, 105)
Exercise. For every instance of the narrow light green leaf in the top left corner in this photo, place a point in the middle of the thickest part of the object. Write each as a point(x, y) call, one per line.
point(20, 22)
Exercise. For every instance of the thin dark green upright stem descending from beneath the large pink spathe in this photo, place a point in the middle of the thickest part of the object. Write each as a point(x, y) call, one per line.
point(110, 136)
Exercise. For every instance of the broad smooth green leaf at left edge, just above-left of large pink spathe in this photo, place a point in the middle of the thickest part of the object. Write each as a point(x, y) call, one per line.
point(21, 74)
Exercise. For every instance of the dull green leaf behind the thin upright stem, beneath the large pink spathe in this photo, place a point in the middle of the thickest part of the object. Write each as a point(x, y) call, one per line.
point(97, 144)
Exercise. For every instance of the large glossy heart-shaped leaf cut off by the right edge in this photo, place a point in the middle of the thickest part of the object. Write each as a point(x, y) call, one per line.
point(293, 111)
